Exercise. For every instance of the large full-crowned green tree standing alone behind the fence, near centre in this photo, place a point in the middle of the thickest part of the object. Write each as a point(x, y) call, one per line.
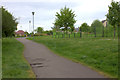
point(65, 19)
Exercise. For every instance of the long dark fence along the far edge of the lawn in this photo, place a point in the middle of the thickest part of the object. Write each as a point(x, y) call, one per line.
point(105, 32)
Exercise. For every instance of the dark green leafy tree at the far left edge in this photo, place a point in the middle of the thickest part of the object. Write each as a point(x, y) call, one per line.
point(9, 24)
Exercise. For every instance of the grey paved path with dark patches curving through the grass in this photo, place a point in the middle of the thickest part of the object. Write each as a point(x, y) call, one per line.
point(46, 64)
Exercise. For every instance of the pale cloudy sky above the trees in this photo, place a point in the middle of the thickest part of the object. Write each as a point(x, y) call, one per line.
point(45, 10)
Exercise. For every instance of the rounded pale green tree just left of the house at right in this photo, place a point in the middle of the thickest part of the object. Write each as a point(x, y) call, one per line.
point(97, 28)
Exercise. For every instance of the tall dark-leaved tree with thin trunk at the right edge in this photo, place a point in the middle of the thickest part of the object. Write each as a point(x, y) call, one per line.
point(113, 15)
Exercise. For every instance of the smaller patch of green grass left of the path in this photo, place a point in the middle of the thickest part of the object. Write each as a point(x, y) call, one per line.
point(14, 64)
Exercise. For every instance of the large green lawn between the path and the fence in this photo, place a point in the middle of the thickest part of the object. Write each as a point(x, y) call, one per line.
point(100, 54)
